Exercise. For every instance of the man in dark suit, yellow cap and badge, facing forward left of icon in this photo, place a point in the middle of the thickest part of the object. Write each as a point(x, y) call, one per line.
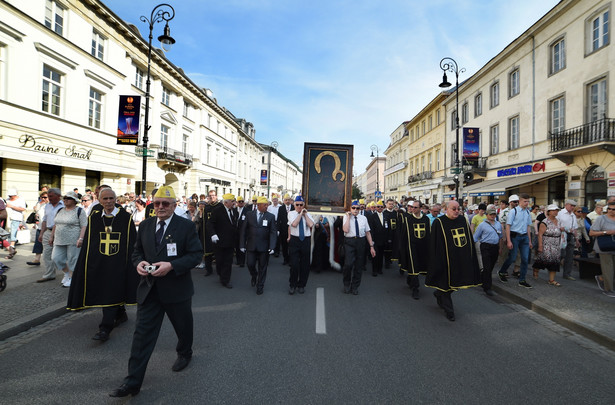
point(257, 238)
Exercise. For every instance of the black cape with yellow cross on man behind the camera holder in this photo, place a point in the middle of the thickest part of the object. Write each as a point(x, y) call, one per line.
point(104, 274)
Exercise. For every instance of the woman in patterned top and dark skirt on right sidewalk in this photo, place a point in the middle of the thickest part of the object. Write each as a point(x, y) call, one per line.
point(549, 245)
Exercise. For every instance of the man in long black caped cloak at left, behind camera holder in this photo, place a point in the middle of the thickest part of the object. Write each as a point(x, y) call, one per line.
point(104, 275)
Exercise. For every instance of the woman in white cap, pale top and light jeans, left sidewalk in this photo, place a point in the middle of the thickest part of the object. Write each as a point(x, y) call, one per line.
point(67, 236)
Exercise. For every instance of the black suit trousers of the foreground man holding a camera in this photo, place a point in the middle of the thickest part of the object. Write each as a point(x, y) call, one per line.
point(150, 315)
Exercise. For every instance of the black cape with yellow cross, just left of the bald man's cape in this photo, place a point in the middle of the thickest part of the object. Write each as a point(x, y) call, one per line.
point(414, 244)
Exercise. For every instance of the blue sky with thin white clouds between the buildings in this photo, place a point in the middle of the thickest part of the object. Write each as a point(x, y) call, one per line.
point(334, 71)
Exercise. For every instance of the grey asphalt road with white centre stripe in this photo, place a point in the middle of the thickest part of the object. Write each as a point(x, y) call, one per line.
point(380, 347)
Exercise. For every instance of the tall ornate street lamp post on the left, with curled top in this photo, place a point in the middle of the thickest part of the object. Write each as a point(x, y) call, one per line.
point(162, 12)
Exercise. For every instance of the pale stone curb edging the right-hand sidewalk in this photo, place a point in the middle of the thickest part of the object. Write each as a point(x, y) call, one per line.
point(552, 314)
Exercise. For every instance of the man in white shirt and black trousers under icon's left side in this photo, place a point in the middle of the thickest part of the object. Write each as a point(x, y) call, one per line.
point(300, 224)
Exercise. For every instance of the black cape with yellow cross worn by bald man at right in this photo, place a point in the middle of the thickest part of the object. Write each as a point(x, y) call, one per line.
point(453, 262)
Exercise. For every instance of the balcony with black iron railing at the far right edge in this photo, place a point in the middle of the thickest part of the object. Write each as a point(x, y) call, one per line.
point(597, 135)
